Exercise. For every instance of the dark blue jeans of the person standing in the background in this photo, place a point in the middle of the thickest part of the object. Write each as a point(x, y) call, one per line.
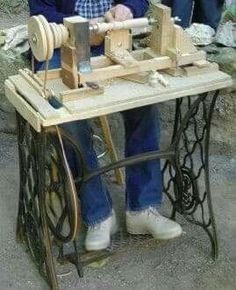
point(205, 11)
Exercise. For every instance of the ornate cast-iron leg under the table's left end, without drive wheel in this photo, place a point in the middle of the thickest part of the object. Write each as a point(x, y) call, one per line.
point(31, 223)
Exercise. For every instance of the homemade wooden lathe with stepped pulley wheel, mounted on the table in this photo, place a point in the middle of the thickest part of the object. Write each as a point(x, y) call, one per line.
point(170, 49)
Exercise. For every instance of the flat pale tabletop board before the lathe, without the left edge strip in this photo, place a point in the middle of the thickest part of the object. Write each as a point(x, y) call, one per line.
point(123, 95)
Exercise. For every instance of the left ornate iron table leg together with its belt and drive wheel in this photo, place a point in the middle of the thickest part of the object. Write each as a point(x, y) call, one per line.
point(47, 210)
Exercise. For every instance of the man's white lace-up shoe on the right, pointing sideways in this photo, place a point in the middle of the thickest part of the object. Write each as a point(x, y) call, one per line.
point(149, 221)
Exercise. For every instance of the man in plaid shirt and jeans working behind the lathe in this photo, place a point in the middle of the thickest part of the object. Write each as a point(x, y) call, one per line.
point(143, 181)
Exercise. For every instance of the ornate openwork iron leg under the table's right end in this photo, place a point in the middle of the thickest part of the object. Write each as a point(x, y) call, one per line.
point(186, 176)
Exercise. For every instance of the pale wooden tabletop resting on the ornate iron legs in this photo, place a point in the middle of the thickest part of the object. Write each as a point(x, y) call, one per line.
point(119, 95)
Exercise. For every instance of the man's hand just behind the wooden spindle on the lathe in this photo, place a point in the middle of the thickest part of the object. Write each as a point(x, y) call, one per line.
point(118, 13)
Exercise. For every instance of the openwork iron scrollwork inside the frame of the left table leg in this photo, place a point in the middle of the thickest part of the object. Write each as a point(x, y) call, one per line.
point(29, 227)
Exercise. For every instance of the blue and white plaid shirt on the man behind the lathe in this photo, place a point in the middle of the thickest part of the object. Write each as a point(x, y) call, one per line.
point(92, 8)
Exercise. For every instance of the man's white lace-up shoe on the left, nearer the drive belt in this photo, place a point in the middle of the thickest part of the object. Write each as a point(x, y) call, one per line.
point(99, 236)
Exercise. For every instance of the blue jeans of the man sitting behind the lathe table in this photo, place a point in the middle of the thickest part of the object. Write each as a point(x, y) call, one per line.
point(143, 181)
